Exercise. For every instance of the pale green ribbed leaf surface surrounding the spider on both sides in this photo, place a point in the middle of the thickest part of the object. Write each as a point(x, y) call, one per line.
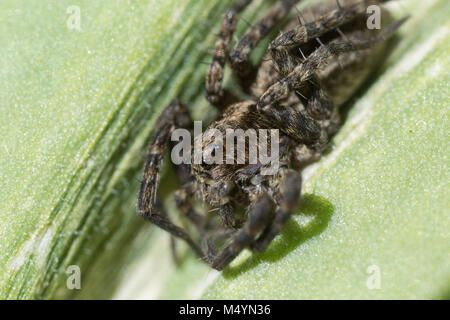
point(77, 107)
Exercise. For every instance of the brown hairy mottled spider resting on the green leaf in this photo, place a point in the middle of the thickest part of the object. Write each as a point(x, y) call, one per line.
point(309, 71)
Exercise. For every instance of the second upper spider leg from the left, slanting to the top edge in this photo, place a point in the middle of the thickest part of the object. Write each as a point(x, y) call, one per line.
point(239, 57)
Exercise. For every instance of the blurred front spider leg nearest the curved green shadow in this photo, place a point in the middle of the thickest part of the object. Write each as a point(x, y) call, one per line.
point(289, 191)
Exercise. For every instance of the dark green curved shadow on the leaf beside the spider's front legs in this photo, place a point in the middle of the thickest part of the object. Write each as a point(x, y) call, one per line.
point(312, 218)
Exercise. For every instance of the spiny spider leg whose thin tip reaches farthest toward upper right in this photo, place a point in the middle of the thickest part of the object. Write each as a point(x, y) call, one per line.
point(316, 60)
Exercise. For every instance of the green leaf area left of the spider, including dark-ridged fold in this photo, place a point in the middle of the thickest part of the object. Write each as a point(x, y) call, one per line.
point(77, 106)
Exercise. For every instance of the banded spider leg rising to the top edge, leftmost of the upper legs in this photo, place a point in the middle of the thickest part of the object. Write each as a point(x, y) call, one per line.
point(214, 78)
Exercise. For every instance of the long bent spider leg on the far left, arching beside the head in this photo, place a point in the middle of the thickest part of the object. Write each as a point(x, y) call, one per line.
point(175, 115)
